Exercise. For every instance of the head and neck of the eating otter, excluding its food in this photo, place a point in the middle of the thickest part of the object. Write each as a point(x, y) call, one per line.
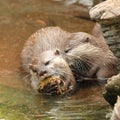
point(51, 63)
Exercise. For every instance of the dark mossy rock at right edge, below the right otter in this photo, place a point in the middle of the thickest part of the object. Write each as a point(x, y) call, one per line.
point(112, 89)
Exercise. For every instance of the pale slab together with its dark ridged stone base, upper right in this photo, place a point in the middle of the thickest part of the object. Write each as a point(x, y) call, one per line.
point(107, 14)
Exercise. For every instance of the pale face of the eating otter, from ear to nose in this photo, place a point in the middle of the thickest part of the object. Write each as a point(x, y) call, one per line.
point(50, 64)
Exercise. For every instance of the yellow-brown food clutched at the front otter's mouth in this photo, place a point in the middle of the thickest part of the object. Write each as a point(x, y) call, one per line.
point(55, 86)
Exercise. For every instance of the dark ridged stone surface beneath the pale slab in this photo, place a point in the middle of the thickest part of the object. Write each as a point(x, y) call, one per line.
point(111, 33)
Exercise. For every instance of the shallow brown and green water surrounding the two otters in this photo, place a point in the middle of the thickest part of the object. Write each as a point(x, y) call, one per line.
point(18, 20)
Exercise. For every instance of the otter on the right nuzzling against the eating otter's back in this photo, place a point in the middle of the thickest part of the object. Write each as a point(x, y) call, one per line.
point(90, 57)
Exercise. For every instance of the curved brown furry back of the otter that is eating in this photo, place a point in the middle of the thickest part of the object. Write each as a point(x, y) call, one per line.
point(44, 39)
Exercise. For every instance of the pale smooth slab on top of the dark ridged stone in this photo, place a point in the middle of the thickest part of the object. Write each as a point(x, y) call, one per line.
point(108, 9)
